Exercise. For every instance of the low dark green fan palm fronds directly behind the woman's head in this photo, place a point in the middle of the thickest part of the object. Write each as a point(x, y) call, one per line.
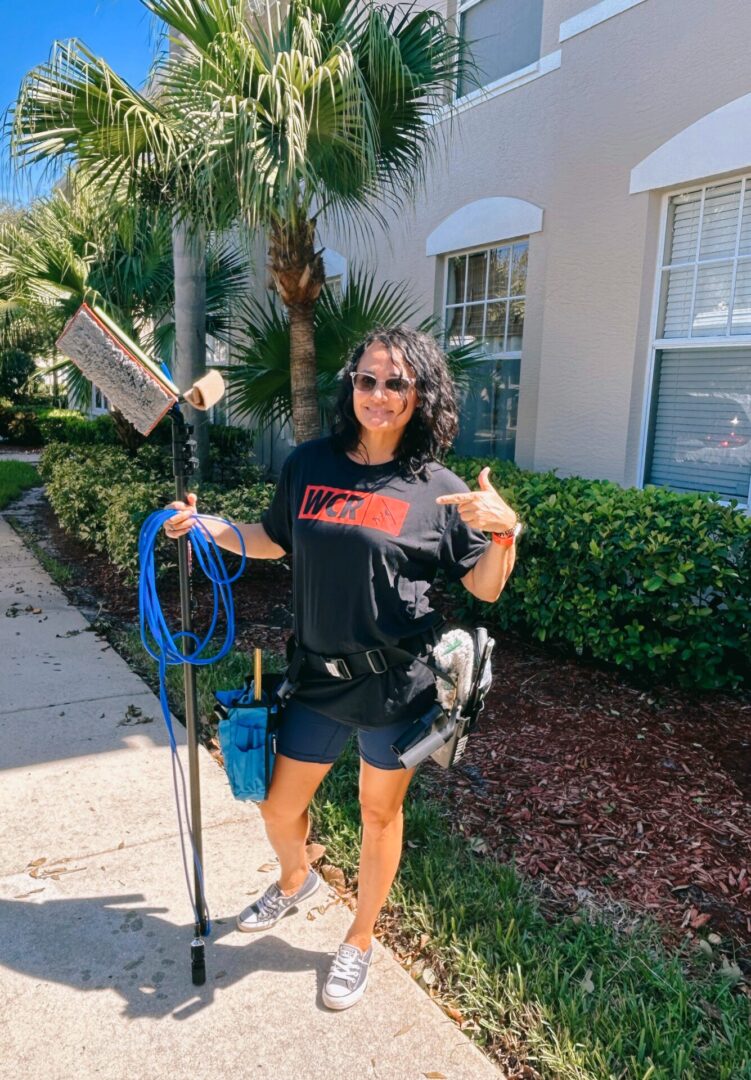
point(259, 379)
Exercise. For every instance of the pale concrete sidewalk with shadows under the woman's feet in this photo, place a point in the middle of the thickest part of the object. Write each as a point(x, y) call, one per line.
point(97, 922)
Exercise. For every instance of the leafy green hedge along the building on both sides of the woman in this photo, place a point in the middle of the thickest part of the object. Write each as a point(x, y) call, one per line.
point(653, 583)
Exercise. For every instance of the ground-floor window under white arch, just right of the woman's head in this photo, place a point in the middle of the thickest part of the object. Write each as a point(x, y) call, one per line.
point(486, 294)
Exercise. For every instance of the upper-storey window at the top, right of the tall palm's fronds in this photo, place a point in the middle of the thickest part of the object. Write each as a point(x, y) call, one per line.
point(503, 36)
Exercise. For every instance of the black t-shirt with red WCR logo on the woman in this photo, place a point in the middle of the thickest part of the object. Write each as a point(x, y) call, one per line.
point(367, 543)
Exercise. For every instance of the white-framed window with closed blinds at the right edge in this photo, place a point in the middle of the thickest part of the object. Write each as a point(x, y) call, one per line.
point(701, 433)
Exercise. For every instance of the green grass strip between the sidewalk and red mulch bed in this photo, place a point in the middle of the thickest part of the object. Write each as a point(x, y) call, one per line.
point(551, 996)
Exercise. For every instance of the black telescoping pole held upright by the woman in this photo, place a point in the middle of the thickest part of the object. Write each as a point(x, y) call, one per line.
point(184, 464)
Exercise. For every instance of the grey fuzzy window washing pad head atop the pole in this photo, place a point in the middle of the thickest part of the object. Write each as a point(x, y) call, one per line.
point(132, 382)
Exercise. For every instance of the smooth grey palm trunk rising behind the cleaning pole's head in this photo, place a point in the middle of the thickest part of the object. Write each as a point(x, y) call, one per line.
point(190, 262)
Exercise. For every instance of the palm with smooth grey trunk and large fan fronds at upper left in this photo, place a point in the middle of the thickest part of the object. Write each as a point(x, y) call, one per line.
point(130, 147)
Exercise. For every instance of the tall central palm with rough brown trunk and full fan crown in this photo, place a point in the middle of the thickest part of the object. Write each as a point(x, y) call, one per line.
point(307, 111)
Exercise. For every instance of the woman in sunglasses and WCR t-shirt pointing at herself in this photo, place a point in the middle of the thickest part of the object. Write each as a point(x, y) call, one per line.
point(370, 515)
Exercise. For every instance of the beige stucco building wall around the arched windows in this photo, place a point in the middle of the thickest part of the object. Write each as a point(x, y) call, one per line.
point(568, 143)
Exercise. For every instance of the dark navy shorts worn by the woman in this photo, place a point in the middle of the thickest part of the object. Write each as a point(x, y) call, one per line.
point(307, 736)
